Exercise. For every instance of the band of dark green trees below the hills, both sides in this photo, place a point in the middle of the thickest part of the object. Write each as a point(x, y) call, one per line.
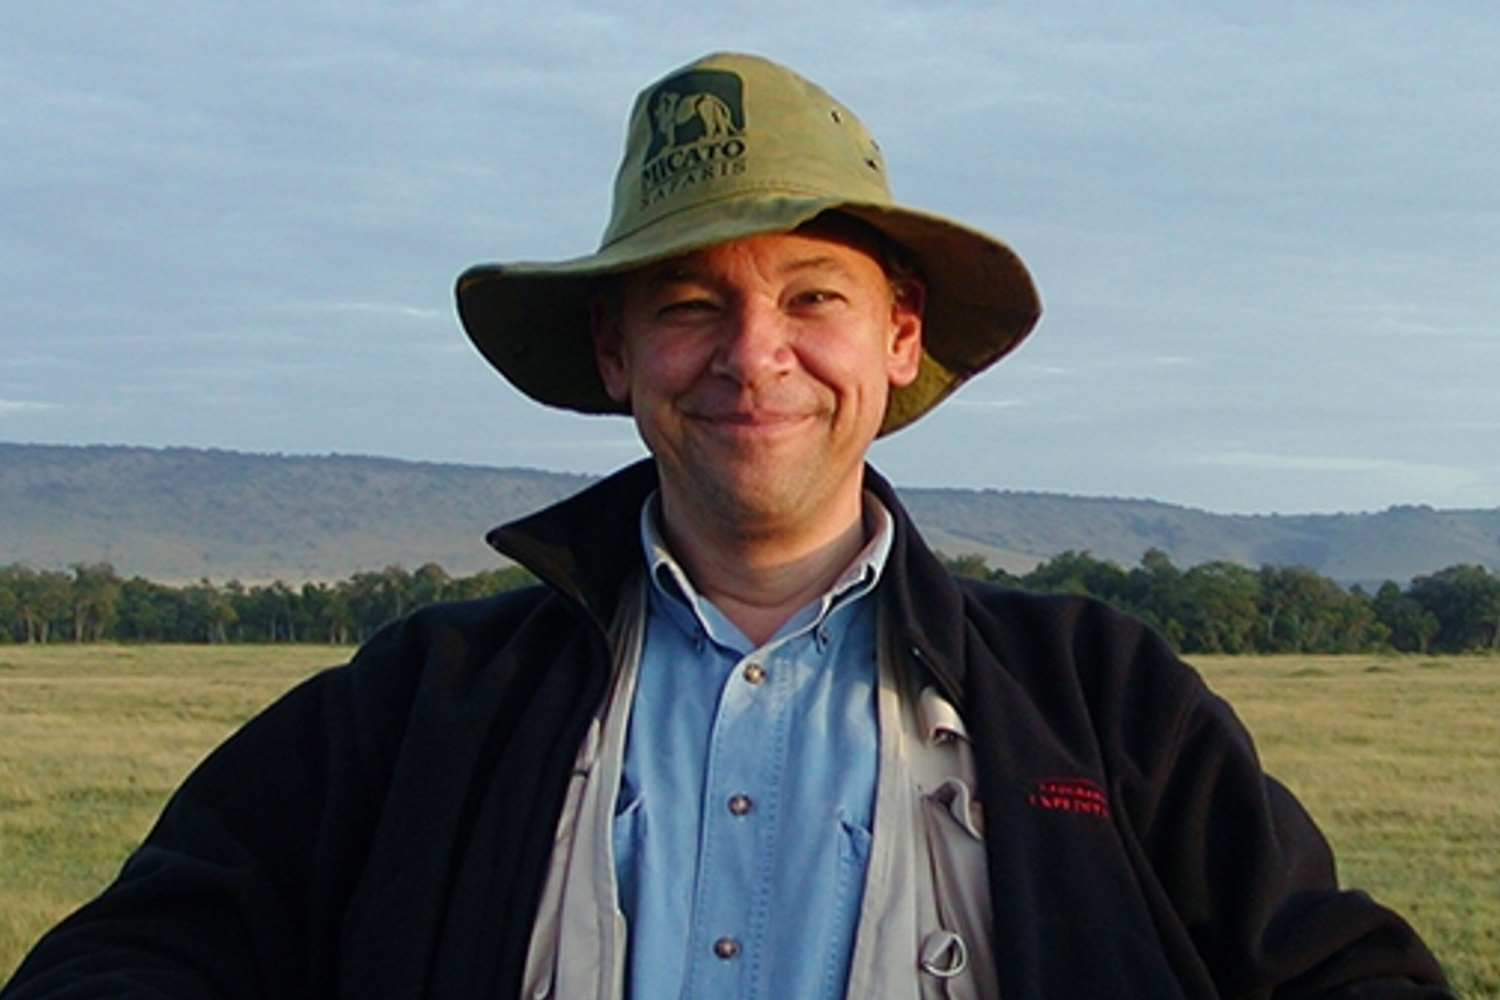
point(1210, 608)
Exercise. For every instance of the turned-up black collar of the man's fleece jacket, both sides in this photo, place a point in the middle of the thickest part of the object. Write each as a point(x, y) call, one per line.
point(587, 548)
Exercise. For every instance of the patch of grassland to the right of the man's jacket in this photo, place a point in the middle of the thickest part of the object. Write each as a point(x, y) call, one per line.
point(1399, 759)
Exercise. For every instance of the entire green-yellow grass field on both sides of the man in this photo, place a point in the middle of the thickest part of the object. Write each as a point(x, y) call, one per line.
point(1399, 758)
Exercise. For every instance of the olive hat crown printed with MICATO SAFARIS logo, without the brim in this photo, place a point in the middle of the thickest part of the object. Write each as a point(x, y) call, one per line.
point(730, 125)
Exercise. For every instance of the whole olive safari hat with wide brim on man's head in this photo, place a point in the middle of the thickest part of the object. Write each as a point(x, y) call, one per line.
point(722, 149)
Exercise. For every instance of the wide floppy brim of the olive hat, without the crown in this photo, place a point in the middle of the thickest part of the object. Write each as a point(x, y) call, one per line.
point(532, 320)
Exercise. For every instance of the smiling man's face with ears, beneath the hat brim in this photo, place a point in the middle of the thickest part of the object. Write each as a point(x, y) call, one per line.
point(758, 371)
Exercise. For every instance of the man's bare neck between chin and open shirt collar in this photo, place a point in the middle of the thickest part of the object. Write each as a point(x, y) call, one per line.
point(760, 579)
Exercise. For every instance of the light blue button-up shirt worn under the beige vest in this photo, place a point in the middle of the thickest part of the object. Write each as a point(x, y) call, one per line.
point(746, 803)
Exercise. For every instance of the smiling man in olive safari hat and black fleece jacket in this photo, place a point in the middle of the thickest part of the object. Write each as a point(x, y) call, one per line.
point(749, 740)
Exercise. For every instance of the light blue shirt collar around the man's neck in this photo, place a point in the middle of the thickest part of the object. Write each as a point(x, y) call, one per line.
point(671, 582)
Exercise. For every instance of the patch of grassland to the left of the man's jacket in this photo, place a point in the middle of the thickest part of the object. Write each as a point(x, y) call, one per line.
point(92, 741)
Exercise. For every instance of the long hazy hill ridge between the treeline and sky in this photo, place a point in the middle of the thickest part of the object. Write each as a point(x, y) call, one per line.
point(185, 513)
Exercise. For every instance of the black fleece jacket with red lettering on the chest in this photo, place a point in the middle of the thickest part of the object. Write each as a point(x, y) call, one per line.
point(385, 828)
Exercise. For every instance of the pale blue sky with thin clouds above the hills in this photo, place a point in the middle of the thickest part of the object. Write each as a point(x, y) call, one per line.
point(1267, 236)
